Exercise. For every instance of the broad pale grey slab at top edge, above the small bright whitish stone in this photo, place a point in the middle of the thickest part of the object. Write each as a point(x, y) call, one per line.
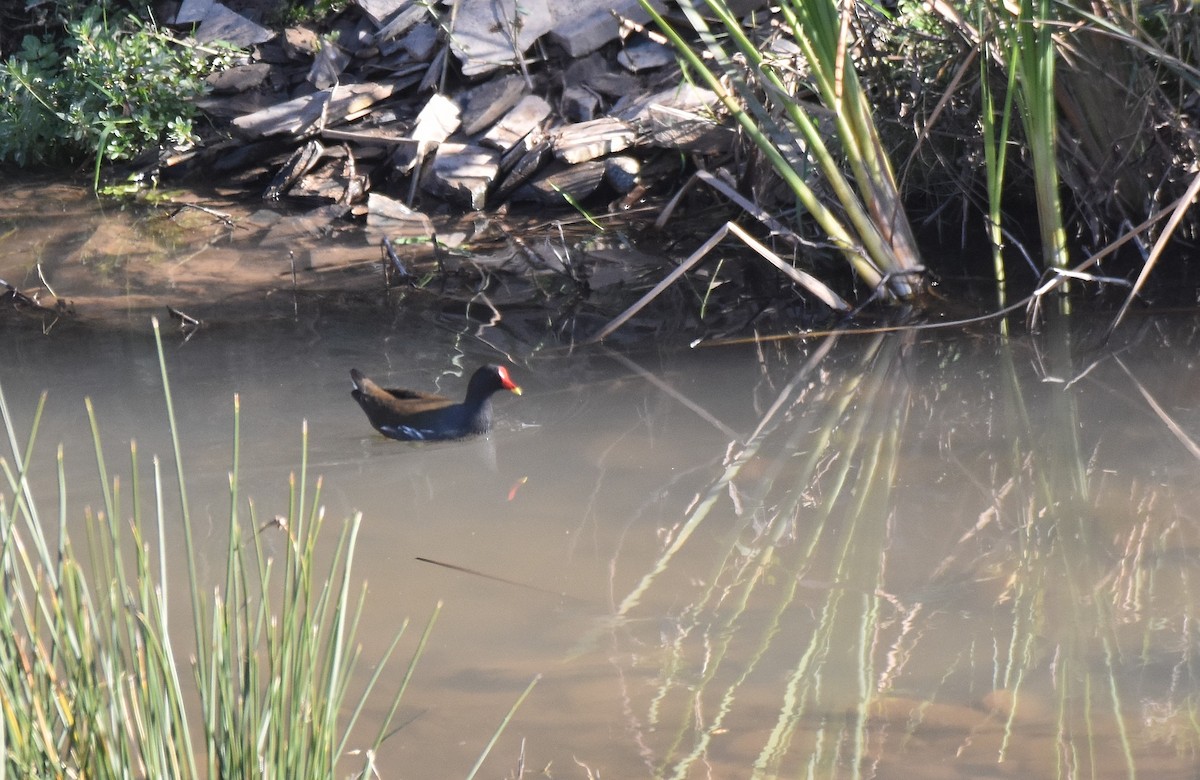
point(494, 34)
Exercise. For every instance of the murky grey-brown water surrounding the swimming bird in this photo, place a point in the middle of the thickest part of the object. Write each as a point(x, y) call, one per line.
point(940, 555)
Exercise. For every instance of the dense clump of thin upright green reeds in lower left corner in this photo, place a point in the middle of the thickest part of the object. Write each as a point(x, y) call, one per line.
point(91, 682)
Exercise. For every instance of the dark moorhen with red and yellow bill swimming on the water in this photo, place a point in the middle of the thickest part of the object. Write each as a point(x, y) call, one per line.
point(411, 416)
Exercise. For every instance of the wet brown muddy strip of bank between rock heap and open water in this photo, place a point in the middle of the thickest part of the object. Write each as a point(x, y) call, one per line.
point(71, 261)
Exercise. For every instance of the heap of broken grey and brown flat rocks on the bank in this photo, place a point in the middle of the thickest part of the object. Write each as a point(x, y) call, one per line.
point(398, 106)
